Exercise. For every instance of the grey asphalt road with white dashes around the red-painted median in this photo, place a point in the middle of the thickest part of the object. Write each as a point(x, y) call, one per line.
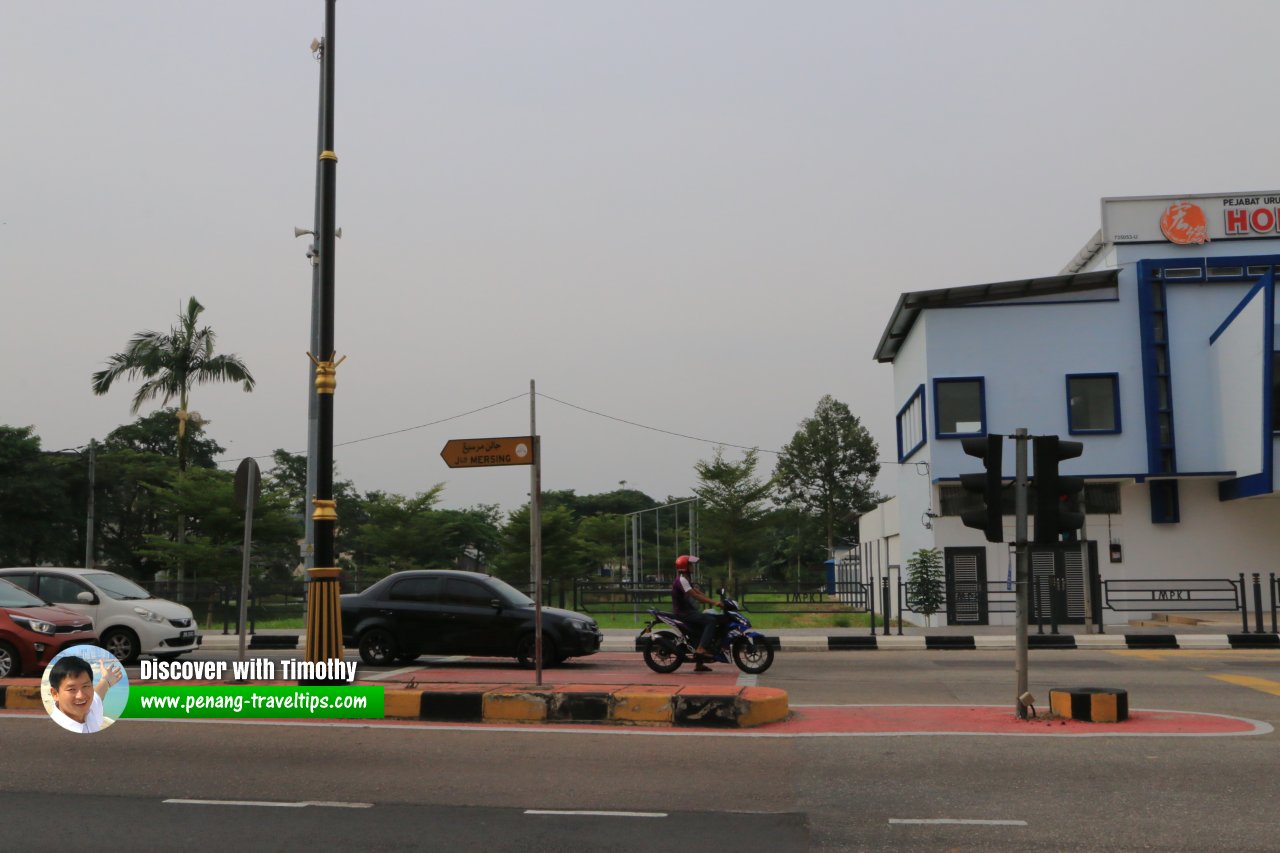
point(423, 787)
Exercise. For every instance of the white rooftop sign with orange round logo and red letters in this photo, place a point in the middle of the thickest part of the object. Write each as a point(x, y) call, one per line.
point(1191, 221)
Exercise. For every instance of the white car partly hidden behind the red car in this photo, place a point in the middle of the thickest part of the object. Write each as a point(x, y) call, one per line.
point(130, 621)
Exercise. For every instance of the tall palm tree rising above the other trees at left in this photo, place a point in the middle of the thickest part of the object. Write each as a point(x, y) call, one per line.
point(172, 364)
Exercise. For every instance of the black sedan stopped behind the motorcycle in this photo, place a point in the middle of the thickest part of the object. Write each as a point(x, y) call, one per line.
point(458, 613)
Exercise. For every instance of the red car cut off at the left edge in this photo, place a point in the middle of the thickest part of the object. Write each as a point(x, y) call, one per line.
point(33, 631)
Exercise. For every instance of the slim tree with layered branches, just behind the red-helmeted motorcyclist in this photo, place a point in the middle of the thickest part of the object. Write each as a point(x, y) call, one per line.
point(733, 505)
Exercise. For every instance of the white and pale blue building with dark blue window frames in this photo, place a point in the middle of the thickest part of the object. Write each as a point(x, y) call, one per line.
point(1156, 348)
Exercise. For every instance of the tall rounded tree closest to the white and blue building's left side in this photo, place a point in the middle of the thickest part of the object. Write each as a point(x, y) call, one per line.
point(830, 467)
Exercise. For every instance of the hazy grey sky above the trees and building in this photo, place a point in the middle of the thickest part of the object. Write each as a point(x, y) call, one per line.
point(694, 216)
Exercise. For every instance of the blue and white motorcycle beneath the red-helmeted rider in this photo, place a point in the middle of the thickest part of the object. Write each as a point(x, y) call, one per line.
point(670, 647)
